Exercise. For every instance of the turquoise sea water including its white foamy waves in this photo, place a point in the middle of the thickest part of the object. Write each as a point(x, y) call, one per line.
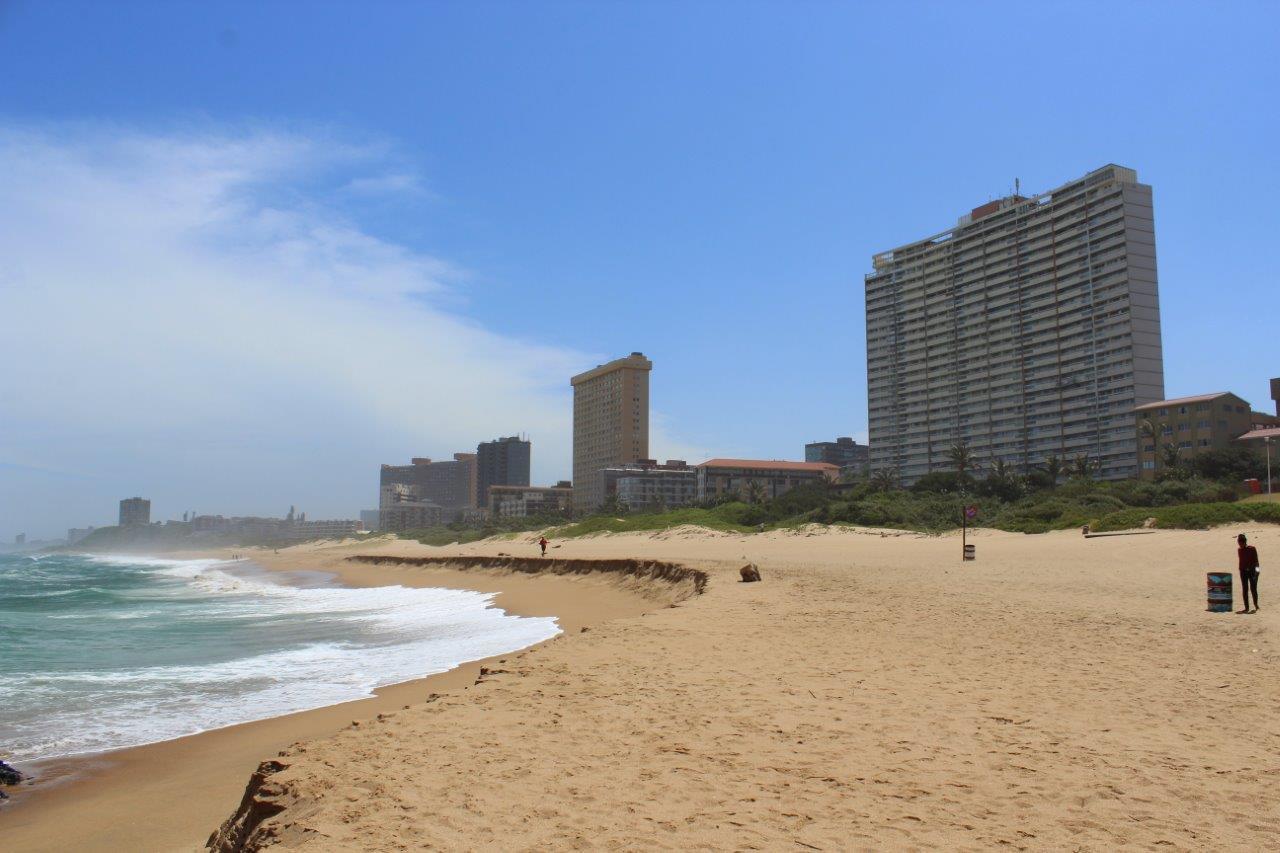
point(106, 653)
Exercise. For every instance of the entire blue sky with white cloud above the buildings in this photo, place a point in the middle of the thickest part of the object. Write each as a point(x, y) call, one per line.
point(249, 252)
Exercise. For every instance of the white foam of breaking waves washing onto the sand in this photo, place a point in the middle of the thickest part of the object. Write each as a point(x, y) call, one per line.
point(336, 645)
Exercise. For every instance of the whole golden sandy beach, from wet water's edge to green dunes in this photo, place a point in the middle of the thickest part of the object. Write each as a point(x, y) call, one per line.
point(872, 692)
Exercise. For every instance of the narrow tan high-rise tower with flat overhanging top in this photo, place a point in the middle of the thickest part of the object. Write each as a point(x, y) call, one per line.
point(611, 423)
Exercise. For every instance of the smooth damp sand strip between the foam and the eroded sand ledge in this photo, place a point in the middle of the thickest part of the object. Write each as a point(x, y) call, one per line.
point(109, 800)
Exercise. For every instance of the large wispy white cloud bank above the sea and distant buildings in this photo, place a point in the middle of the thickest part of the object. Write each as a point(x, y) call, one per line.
point(181, 318)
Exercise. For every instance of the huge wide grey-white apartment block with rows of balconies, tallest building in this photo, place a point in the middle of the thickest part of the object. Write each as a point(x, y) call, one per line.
point(1032, 329)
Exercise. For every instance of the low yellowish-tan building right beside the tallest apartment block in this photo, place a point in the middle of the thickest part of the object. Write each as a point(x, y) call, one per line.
point(1194, 426)
